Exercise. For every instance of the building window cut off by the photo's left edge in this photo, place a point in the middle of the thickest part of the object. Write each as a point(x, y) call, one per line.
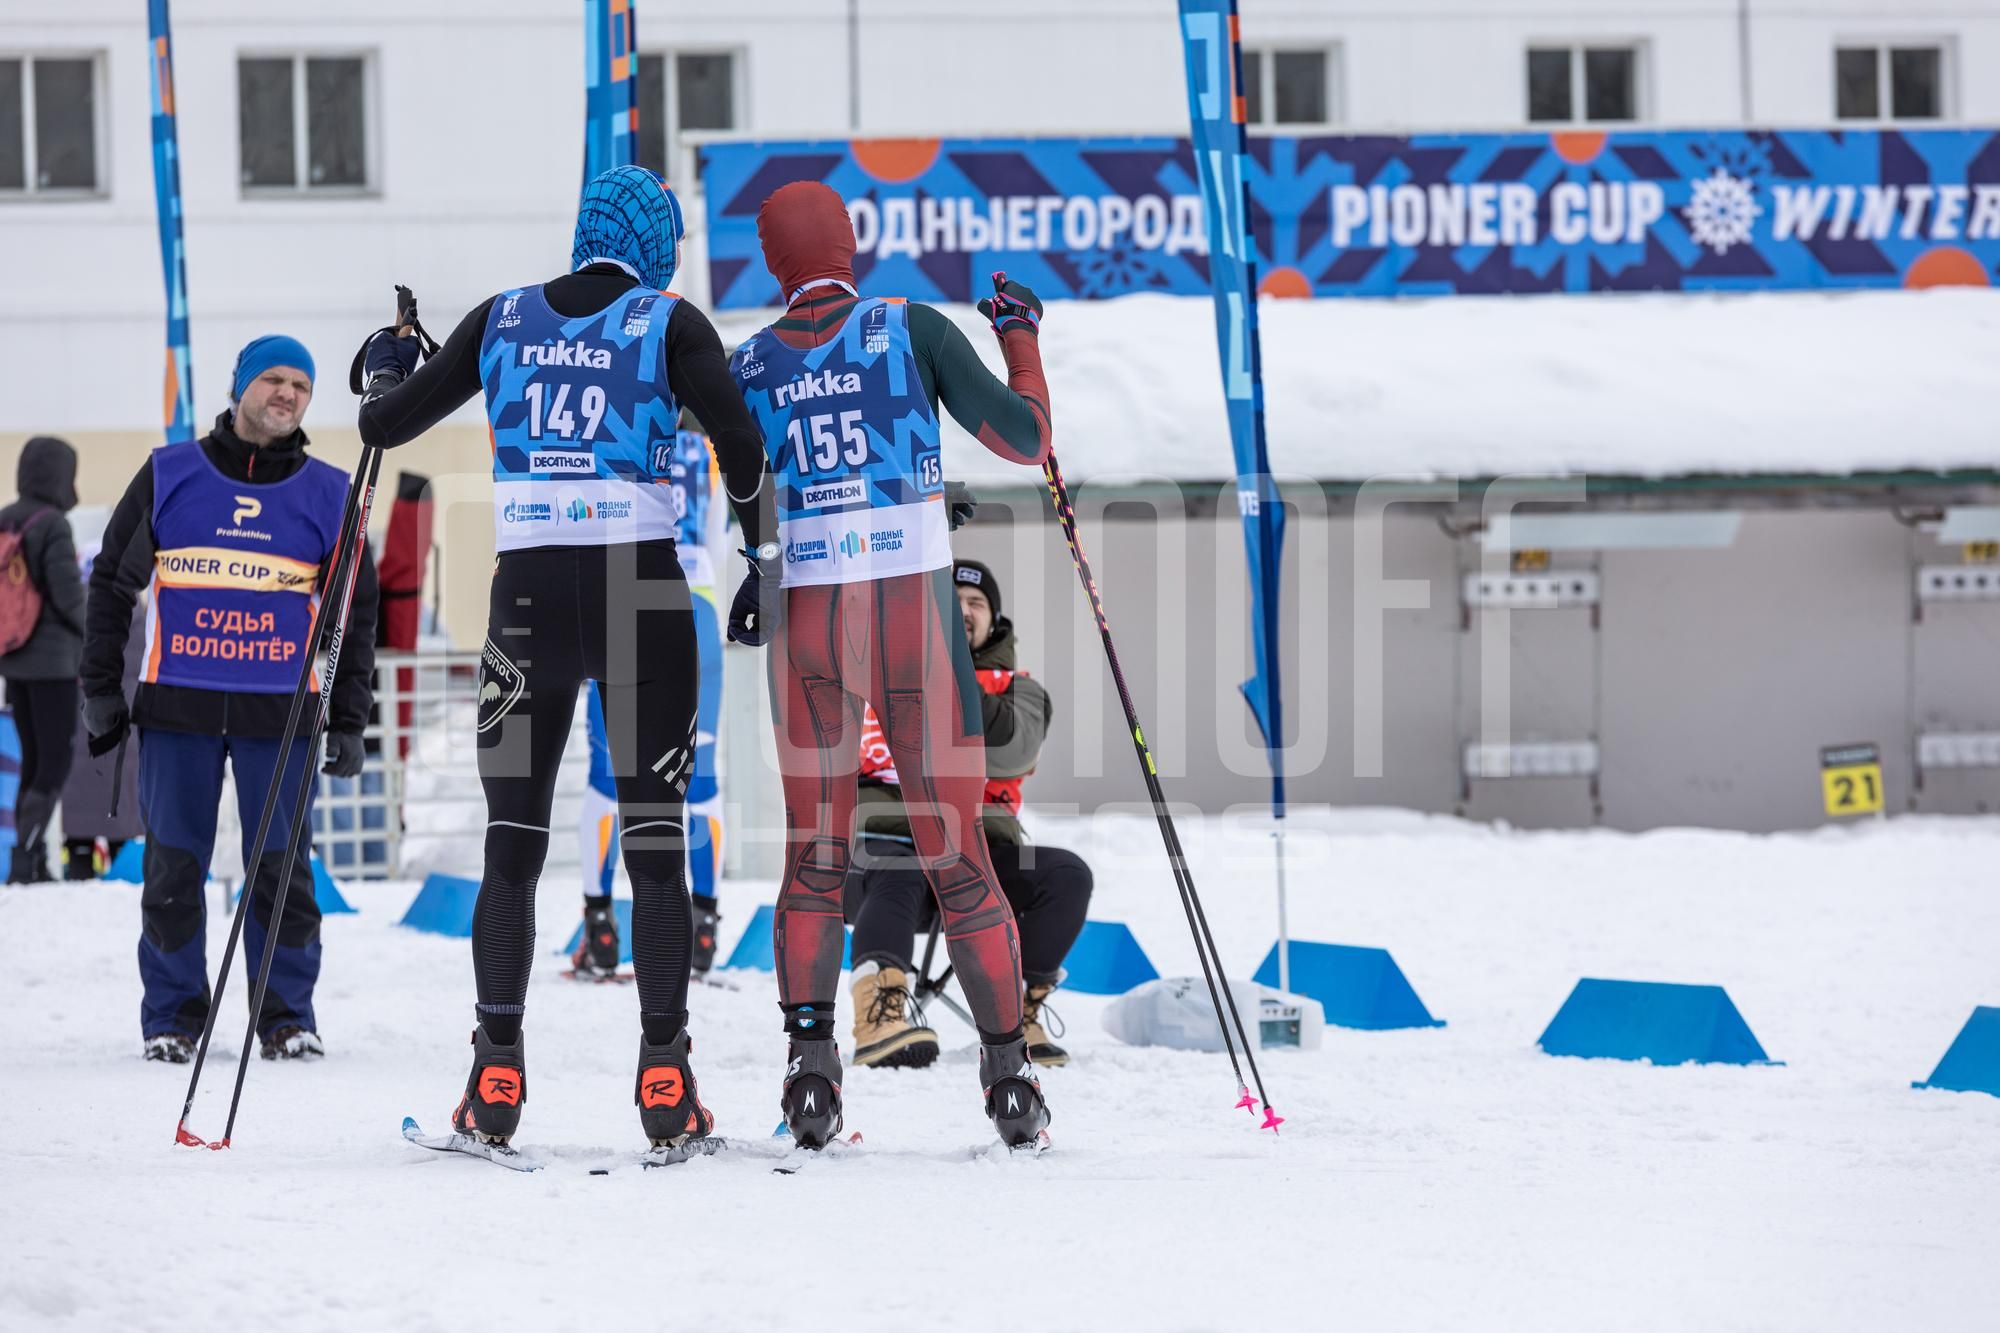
point(49, 125)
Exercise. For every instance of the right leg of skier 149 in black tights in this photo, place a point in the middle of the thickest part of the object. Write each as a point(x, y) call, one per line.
point(649, 684)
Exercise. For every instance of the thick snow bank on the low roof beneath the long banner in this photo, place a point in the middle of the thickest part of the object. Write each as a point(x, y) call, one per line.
point(1649, 385)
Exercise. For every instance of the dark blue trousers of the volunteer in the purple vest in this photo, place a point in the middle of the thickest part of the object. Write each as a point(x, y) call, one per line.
point(179, 790)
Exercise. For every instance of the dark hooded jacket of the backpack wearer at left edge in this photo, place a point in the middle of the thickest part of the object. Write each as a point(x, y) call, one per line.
point(47, 479)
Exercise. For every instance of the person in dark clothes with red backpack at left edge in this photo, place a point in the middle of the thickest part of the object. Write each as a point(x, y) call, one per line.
point(41, 641)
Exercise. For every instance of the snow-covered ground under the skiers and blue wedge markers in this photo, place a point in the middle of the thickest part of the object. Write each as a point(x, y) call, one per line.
point(1427, 1180)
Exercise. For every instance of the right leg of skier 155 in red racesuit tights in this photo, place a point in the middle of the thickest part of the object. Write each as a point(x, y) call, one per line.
point(929, 702)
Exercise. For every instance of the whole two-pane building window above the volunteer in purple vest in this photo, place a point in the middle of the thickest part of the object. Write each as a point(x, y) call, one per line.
point(303, 123)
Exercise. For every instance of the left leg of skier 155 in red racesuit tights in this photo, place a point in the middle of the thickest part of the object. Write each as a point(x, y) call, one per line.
point(819, 762)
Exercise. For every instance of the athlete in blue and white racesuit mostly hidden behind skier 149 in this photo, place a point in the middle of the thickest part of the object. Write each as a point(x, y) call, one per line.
point(597, 830)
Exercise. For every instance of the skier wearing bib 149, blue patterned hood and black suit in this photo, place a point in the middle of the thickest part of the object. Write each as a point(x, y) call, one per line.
point(585, 379)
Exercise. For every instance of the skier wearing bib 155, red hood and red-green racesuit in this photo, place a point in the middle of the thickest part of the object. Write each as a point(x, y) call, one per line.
point(849, 393)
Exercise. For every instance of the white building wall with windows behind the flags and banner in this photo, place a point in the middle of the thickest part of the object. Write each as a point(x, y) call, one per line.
point(479, 137)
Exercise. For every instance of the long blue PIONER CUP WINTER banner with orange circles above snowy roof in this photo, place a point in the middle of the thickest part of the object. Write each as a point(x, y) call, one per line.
point(1389, 215)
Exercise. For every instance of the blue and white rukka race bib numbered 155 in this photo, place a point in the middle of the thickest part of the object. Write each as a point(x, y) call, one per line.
point(853, 445)
